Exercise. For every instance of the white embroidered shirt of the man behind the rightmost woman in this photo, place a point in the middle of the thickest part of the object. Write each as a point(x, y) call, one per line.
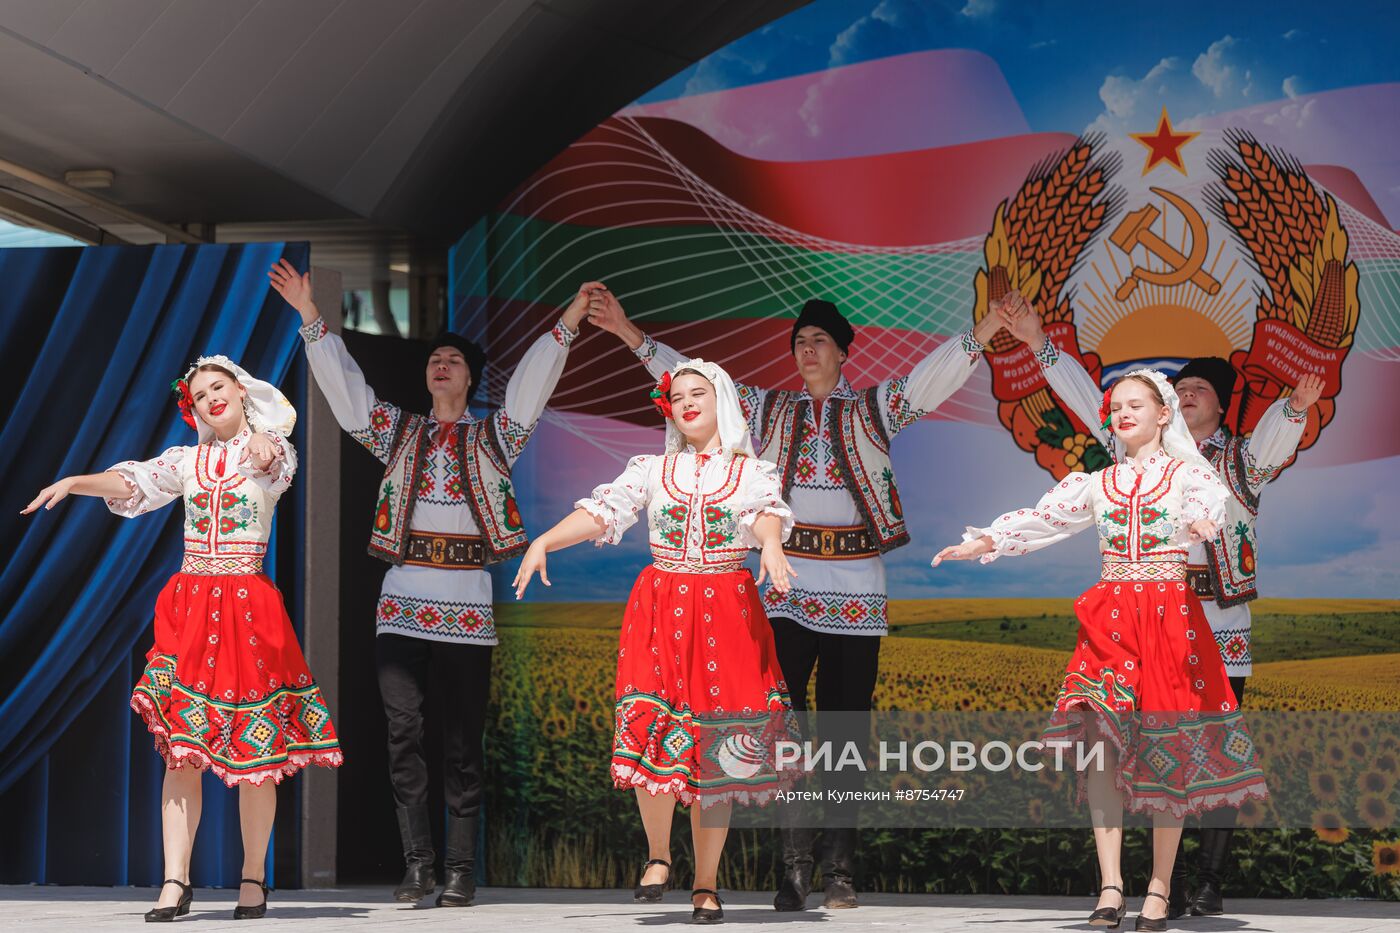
point(1272, 443)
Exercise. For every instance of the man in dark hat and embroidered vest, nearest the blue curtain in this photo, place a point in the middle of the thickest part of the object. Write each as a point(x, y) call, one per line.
point(446, 511)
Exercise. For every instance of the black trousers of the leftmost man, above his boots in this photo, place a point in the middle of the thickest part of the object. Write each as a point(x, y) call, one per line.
point(461, 676)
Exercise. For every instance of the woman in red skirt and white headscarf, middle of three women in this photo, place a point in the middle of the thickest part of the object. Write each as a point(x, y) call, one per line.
point(698, 670)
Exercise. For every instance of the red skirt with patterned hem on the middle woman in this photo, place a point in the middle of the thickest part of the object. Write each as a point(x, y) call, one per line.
point(701, 700)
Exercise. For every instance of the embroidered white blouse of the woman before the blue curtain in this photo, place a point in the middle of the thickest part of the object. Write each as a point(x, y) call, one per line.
point(229, 502)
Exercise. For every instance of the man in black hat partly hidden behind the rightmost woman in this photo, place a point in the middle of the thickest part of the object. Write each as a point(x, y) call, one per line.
point(1221, 572)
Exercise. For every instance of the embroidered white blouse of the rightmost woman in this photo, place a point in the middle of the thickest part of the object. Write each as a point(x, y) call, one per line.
point(1143, 519)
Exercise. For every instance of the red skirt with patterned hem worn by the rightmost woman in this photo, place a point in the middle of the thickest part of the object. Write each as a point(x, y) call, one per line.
point(1149, 673)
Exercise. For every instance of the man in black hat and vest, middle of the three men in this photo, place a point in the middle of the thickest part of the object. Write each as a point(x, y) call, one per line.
point(831, 445)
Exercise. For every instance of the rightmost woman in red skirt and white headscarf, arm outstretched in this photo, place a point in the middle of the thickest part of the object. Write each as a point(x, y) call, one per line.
point(1147, 677)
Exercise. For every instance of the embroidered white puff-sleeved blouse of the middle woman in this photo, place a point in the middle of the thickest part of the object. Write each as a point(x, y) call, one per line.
point(701, 508)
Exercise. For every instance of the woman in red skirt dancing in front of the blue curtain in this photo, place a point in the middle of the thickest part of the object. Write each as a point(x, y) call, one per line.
point(226, 687)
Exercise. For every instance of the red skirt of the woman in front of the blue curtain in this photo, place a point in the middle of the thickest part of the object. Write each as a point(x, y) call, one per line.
point(226, 686)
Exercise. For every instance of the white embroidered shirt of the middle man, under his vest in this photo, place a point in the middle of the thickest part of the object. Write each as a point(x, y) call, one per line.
point(842, 597)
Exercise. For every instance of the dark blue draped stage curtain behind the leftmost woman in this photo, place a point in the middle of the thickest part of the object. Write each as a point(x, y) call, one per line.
point(90, 341)
